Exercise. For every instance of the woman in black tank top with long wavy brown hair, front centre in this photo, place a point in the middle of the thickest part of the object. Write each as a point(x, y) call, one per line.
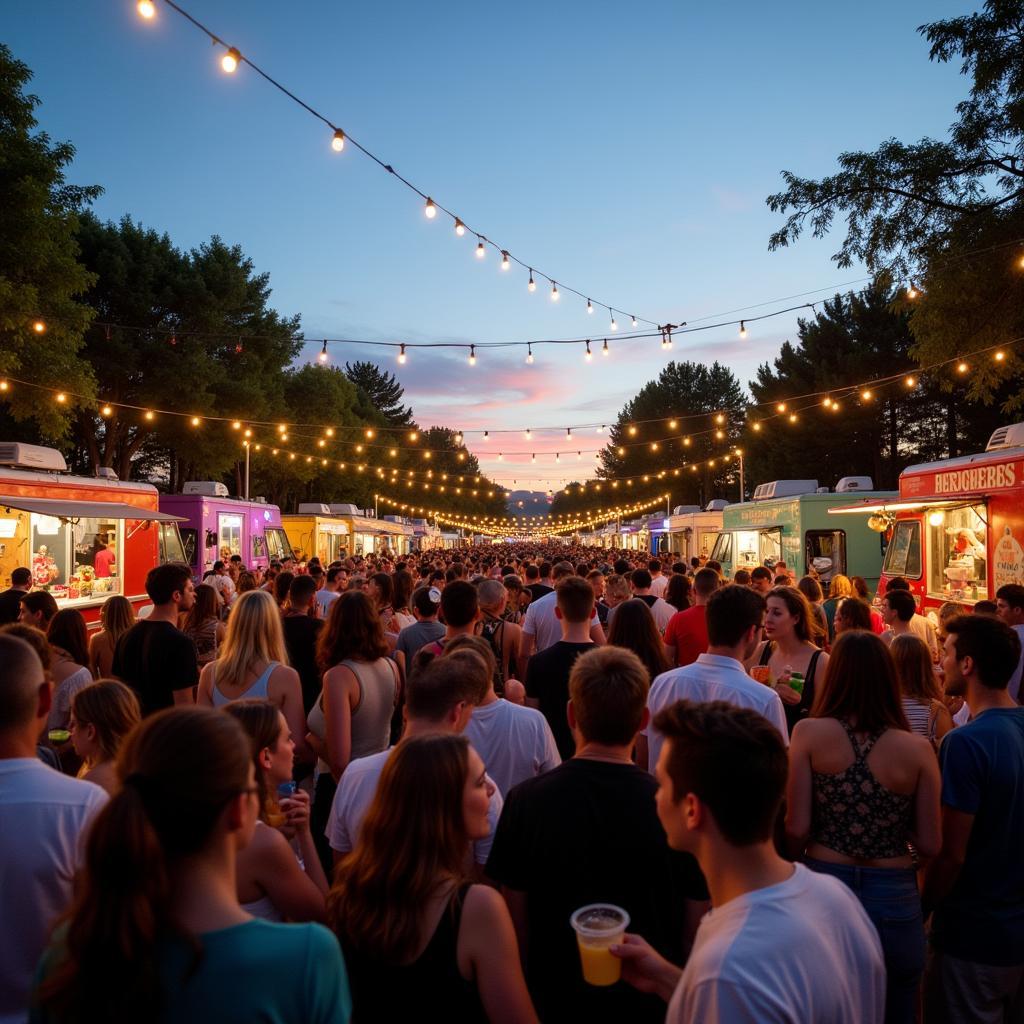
point(414, 931)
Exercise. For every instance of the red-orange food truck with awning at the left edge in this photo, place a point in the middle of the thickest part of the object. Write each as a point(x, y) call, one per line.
point(84, 539)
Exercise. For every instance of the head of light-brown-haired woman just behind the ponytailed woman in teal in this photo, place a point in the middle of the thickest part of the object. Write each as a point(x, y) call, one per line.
point(102, 716)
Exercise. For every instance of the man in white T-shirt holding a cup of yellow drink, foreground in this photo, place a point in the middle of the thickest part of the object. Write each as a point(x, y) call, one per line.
point(782, 944)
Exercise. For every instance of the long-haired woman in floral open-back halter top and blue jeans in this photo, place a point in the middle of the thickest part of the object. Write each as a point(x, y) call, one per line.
point(863, 791)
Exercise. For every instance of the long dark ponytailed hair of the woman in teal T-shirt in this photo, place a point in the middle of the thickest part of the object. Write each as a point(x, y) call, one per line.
point(179, 772)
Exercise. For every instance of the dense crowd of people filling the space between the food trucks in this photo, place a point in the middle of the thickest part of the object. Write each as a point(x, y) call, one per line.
point(382, 788)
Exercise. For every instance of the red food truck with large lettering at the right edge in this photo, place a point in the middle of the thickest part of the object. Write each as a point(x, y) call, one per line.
point(957, 528)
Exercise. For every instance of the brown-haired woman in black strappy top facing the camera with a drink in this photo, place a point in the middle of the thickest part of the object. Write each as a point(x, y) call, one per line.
point(792, 652)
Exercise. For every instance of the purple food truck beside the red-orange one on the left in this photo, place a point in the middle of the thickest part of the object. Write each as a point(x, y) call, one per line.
point(218, 527)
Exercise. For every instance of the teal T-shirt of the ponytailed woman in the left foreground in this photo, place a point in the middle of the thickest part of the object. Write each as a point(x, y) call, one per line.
point(260, 971)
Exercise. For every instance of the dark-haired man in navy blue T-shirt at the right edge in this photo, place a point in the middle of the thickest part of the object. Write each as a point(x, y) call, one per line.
point(975, 886)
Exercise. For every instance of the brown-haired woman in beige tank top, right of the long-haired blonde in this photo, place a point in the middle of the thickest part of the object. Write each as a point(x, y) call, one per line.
point(353, 716)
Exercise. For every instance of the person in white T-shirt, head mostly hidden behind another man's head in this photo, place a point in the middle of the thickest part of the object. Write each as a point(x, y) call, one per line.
point(515, 742)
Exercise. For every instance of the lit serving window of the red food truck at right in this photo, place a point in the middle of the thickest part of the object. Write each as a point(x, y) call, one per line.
point(958, 554)
